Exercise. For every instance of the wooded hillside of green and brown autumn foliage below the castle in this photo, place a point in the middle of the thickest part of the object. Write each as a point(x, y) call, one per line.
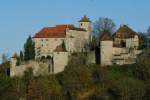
point(80, 81)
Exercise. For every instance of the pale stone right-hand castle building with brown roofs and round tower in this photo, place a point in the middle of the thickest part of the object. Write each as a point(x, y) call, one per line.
point(120, 48)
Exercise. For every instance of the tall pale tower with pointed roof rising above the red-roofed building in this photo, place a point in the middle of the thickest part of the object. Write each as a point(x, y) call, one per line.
point(85, 23)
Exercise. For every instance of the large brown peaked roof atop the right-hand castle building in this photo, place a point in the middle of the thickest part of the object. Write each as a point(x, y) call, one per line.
point(124, 32)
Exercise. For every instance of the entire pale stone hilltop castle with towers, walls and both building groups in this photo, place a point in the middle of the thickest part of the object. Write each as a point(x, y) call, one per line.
point(54, 45)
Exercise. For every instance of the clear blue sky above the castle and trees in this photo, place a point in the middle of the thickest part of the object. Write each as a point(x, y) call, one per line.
point(21, 18)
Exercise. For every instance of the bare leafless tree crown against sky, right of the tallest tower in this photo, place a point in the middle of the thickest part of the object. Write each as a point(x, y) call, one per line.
point(103, 24)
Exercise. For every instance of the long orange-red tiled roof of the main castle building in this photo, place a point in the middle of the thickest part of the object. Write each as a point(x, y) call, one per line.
point(55, 32)
